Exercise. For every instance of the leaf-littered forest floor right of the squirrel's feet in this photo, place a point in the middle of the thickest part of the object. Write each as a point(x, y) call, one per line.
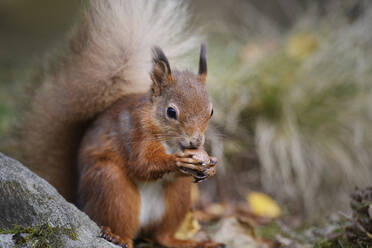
point(259, 224)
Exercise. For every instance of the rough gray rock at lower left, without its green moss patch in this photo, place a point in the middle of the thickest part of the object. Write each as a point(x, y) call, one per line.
point(28, 200)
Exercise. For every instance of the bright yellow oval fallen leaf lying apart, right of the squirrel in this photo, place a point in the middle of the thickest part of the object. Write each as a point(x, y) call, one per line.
point(263, 205)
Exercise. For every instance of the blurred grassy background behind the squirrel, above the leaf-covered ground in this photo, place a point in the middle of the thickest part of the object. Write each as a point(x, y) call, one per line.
point(290, 82)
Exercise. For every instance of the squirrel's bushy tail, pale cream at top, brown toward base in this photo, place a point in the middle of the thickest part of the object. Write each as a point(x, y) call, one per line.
point(109, 55)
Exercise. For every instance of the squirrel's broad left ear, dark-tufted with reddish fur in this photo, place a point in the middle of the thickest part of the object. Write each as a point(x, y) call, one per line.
point(161, 72)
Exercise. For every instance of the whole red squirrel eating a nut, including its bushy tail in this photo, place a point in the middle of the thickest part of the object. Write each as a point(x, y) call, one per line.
point(115, 128)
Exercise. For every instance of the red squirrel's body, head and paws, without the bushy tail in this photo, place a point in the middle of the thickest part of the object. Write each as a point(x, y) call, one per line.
point(136, 159)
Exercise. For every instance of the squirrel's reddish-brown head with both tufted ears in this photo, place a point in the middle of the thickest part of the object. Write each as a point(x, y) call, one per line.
point(181, 105)
